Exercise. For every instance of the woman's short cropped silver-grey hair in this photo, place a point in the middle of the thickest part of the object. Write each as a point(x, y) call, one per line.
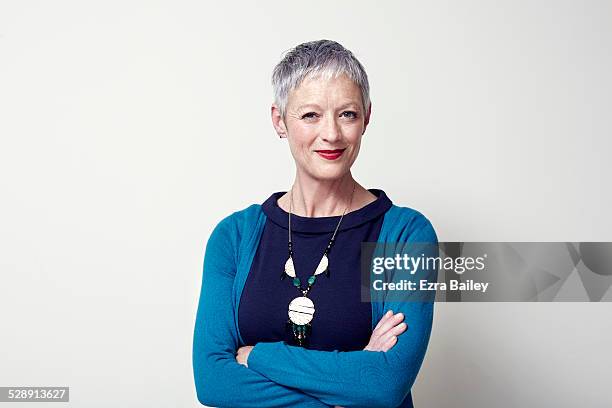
point(324, 58)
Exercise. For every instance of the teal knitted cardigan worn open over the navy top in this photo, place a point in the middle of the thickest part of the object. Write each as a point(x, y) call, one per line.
point(281, 375)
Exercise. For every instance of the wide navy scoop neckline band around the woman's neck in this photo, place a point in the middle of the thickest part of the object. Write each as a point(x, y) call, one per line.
point(351, 219)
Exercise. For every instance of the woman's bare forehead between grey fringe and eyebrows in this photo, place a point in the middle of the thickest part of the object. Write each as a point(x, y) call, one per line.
point(320, 89)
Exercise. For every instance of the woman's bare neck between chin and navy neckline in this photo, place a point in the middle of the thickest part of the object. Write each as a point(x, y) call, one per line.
point(316, 198)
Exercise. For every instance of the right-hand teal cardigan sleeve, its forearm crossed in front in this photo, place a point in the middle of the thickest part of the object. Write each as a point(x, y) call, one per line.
point(357, 378)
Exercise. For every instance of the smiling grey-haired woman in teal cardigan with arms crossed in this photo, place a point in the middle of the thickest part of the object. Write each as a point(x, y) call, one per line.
point(280, 321)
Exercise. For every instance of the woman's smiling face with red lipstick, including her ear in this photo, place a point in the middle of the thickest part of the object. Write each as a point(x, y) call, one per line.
point(324, 122)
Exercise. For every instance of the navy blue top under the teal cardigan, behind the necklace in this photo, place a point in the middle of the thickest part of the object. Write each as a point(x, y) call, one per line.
point(341, 321)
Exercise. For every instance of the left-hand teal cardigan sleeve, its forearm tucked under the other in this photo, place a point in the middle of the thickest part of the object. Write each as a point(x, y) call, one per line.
point(219, 379)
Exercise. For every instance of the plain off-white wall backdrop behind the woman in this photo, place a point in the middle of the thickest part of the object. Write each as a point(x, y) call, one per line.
point(129, 129)
